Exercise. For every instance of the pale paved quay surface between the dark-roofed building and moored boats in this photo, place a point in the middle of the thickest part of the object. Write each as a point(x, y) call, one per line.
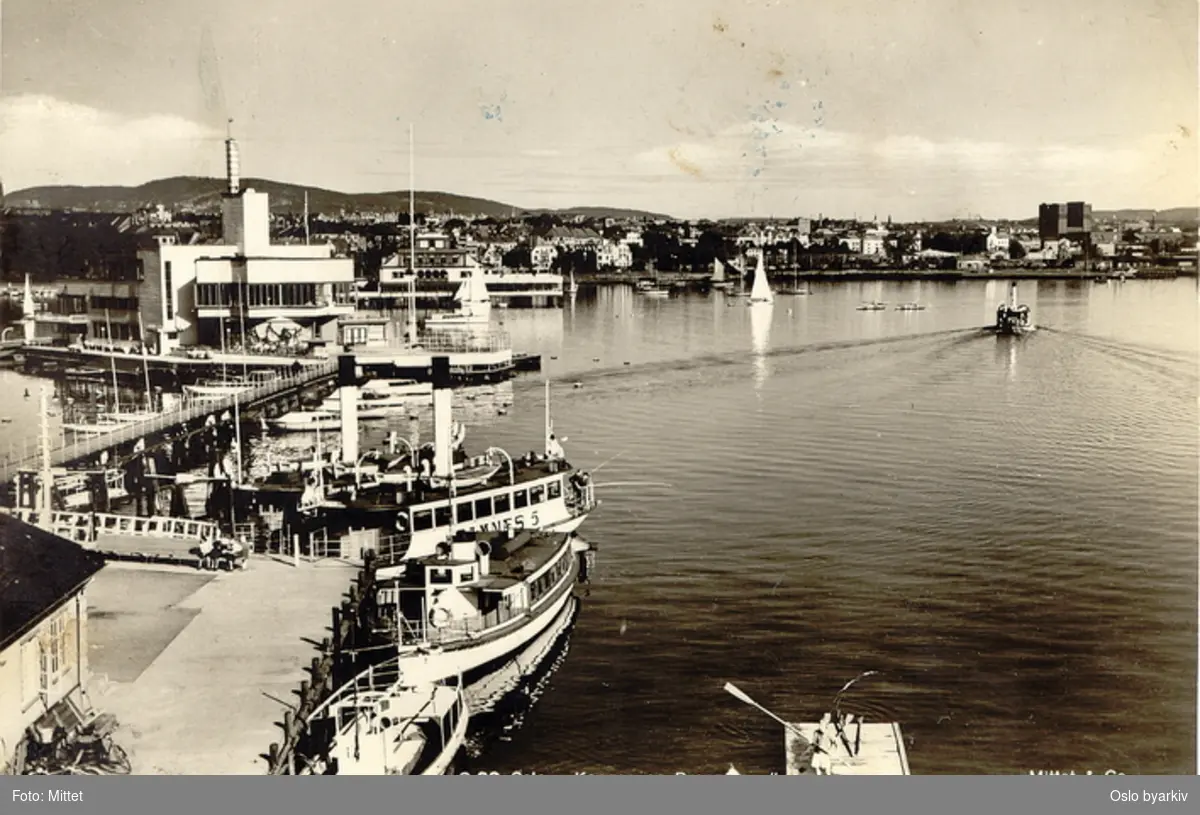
point(201, 669)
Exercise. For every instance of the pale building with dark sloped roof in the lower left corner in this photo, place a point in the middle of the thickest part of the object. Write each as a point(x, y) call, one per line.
point(44, 636)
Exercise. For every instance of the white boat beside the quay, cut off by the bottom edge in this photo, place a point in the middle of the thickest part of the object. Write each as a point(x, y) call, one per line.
point(383, 724)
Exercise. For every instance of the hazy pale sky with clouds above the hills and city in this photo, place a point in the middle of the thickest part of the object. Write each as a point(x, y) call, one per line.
point(915, 110)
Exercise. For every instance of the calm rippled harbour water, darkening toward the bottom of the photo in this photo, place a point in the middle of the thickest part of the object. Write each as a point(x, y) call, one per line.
point(1004, 529)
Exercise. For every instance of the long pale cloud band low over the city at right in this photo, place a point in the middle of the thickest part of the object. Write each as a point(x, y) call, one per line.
point(778, 166)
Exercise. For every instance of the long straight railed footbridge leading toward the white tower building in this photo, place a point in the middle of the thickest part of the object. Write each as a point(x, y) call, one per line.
point(73, 450)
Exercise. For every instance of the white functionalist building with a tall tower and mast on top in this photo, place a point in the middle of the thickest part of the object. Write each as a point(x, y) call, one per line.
point(194, 295)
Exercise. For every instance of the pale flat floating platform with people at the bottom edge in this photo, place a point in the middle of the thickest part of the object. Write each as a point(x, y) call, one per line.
point(859, 750)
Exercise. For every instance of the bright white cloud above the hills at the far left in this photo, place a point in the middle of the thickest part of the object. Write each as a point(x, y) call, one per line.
point(47, 141)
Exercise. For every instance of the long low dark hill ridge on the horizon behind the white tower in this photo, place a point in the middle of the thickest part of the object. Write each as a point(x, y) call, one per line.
point(205, 195)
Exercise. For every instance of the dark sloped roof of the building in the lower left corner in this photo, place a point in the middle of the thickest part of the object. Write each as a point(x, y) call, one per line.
point(38, 572)
